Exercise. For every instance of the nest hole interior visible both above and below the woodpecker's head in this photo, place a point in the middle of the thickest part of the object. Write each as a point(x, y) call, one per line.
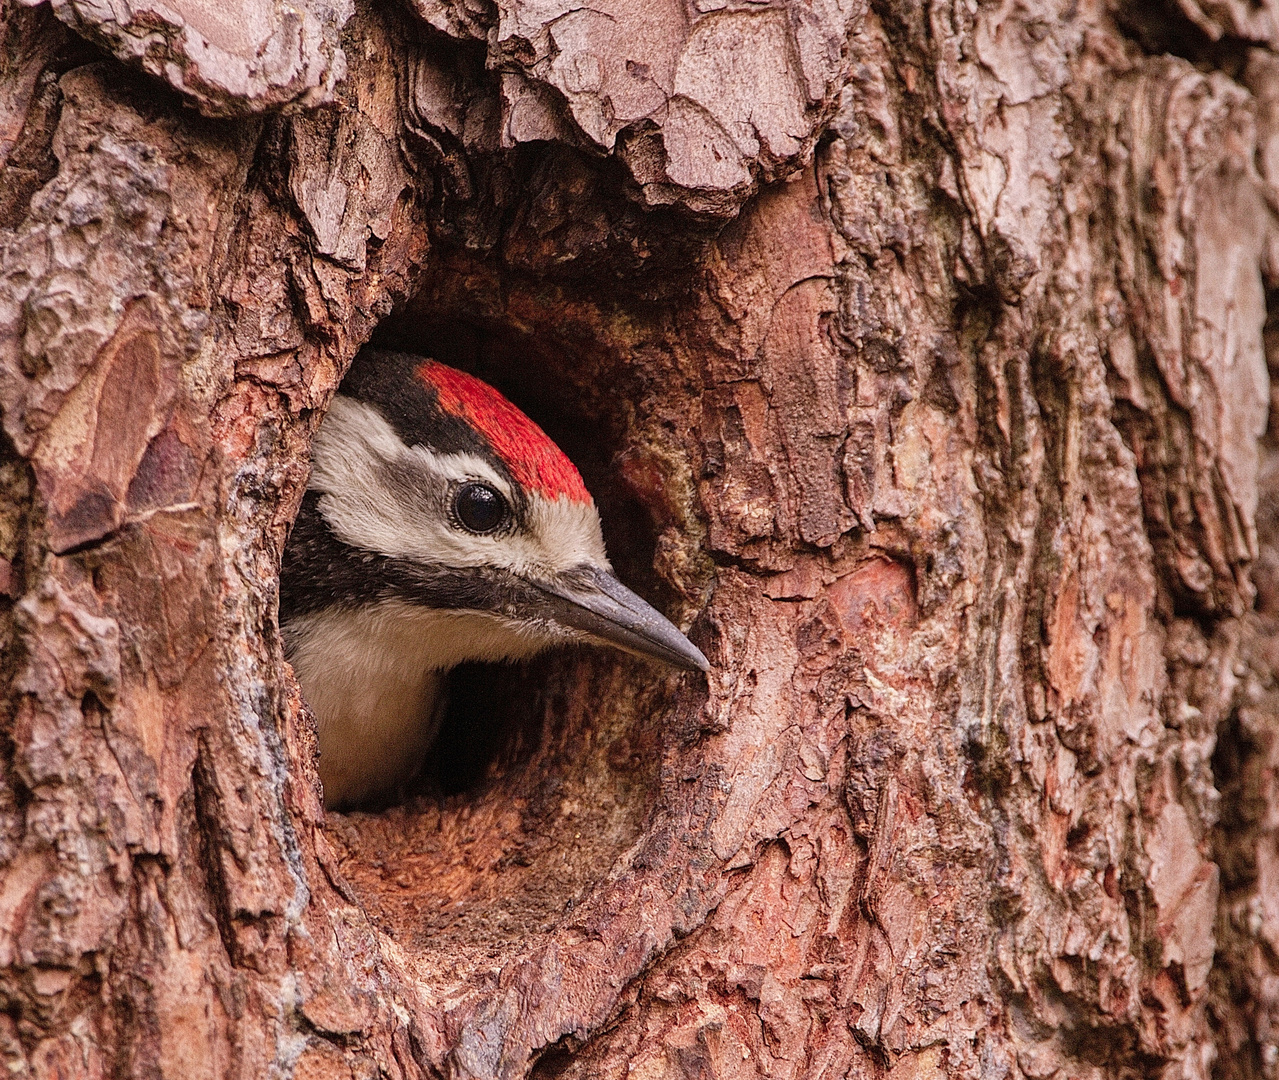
point(544, 772)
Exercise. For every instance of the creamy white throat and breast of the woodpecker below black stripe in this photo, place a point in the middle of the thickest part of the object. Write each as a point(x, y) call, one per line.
point(374, 678)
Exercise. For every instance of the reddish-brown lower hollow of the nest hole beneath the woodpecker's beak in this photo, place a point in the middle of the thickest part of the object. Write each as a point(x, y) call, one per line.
point(544, 774)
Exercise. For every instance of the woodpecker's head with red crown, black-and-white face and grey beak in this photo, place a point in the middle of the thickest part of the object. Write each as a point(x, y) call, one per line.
point(433, 495)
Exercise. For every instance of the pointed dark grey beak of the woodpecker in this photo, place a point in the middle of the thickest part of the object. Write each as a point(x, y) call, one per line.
point(594, 602)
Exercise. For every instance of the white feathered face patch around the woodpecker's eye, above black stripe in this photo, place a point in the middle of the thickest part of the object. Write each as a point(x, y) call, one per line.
point(355, 454)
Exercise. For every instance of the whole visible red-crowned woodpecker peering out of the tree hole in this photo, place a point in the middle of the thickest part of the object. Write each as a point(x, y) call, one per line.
point(441, 525)
